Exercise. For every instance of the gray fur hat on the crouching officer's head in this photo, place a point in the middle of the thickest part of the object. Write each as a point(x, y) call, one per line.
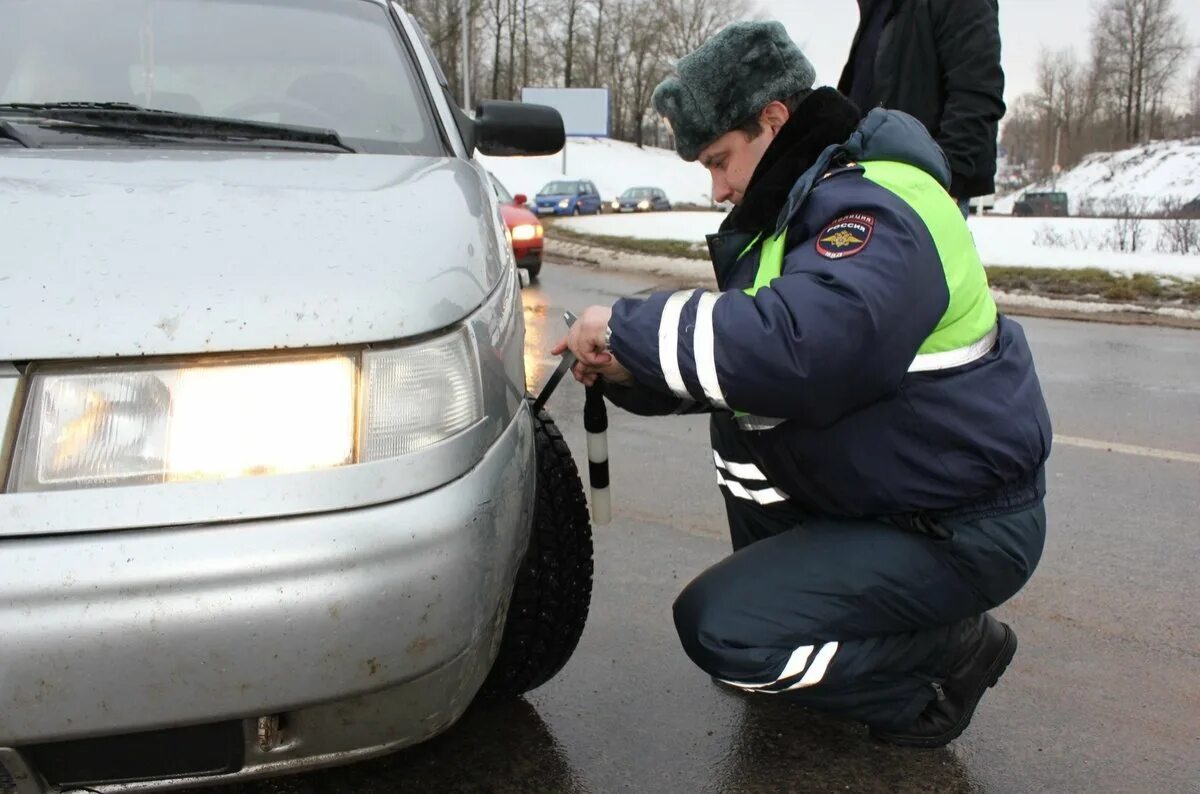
point(729, 80)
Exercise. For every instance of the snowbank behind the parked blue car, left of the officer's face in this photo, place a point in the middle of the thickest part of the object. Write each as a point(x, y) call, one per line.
point(613, 165)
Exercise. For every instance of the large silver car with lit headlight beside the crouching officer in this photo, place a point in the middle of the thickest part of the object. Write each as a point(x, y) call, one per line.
point(273, 496)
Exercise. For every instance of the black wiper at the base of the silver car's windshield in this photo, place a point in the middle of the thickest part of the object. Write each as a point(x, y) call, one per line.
point(123, 117)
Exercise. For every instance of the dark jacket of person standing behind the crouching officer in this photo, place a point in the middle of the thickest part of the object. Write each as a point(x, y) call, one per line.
point(939, 61)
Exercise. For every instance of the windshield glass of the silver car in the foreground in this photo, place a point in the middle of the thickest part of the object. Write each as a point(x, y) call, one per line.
point(332, 64)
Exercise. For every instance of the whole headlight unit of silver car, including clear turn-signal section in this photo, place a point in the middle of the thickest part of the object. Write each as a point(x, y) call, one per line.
point(191, 422)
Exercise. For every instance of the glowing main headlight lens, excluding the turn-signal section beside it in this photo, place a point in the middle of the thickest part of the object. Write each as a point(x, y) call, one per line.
point(203, 423)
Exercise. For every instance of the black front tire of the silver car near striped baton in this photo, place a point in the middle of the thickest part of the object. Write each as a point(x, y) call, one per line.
point(554, 587)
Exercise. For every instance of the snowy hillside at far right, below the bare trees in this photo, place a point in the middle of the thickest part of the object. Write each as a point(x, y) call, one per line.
point(1154, 172)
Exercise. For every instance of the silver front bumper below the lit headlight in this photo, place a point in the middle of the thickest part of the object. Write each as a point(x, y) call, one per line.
point(353, 633)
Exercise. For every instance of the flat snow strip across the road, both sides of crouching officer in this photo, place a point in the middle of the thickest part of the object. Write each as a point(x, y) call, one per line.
point(1035, 243)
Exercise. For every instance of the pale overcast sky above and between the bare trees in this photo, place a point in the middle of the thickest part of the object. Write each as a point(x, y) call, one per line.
point(825, 31)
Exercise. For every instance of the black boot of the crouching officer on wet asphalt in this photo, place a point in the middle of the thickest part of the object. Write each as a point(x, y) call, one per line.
point(988, 647)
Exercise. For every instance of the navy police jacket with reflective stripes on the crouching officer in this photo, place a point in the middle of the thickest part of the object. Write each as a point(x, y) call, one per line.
point(818, 402)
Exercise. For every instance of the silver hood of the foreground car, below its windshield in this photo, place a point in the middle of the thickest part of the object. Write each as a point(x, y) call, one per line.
point(164, 252)
